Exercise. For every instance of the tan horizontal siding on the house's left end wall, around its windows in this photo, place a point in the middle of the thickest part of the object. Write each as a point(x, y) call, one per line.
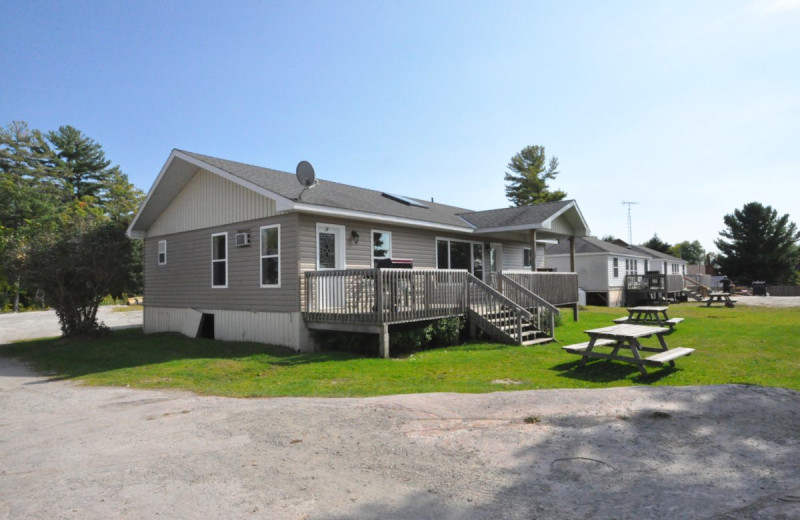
point(185, 281)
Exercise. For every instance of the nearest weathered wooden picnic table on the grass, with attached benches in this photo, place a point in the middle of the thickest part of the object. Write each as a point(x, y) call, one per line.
point(626, 337)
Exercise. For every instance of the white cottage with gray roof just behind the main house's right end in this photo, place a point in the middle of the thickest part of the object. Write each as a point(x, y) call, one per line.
point(601, 267)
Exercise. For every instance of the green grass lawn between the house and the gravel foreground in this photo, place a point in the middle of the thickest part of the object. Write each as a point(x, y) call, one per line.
point(750, 345)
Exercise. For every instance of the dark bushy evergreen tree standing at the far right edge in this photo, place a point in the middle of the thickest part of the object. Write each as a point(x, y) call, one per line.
point(758, 245)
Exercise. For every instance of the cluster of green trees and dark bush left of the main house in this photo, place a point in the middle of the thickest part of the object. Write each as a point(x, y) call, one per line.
point(64, 209)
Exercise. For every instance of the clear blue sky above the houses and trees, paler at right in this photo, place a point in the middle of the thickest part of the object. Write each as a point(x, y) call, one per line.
point(691, 108)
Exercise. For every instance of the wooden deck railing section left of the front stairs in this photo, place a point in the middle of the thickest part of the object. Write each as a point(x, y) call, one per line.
point(376, 296)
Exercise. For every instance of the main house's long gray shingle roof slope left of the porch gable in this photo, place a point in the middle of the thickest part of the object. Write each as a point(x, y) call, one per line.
point(336, 195)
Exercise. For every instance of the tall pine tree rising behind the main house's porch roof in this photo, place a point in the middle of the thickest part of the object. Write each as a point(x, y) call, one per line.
point(526, 180)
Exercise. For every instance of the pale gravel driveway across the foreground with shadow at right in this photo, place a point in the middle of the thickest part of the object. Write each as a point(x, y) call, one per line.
point(68, 451)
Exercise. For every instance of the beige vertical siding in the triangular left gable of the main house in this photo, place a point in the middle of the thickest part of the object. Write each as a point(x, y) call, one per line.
point(209, 200)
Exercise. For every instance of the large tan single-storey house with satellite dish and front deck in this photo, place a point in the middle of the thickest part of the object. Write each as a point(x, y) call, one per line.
point(239, 252)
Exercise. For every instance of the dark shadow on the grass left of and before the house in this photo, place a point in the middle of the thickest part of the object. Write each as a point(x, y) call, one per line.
point(73, 358)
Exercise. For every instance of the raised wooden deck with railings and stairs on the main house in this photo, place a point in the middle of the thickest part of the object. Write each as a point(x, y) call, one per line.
point(368, 300)
